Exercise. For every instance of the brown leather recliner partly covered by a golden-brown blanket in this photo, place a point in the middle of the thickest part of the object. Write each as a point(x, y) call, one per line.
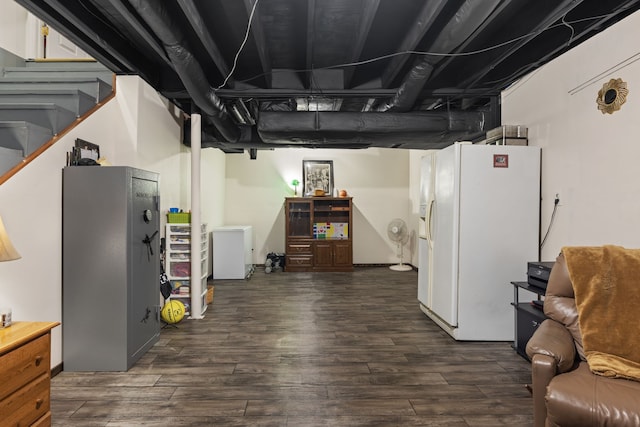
point(565, 392)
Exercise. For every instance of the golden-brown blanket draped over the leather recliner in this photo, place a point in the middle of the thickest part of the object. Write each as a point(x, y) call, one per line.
point(606, 282)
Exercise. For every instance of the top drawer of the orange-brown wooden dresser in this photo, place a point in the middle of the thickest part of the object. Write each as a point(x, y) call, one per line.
point(23, 364)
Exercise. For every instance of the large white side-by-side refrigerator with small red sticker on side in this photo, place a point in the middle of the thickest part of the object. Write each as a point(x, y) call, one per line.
point(479, 226)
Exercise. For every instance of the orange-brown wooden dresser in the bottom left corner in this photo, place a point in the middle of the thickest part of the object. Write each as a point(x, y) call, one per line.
point(25, 374)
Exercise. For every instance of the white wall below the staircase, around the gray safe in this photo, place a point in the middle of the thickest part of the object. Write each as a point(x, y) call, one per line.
point(137, 128)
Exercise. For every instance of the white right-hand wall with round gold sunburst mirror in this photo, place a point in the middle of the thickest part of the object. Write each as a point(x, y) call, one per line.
point(589, 159)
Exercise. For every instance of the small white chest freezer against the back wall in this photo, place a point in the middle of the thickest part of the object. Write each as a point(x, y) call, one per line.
point(232, 251)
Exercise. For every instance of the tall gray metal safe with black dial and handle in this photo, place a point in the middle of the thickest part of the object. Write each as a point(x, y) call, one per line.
point(111, 265)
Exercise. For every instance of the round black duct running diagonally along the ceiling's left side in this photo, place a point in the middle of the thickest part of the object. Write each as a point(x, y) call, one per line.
point(156, 16)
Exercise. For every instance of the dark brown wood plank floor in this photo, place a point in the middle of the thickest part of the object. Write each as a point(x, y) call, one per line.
point(306, 349)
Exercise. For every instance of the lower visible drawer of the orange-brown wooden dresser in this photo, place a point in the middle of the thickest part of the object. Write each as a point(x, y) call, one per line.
point(28, 404)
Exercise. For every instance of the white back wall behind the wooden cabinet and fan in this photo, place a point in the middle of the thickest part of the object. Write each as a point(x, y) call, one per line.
point(378, 180)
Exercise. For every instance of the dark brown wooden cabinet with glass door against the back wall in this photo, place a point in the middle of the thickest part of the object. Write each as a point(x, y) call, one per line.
point(319, 234)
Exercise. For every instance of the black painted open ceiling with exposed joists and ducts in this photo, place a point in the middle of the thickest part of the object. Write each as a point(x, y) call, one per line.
point(331, 73)
